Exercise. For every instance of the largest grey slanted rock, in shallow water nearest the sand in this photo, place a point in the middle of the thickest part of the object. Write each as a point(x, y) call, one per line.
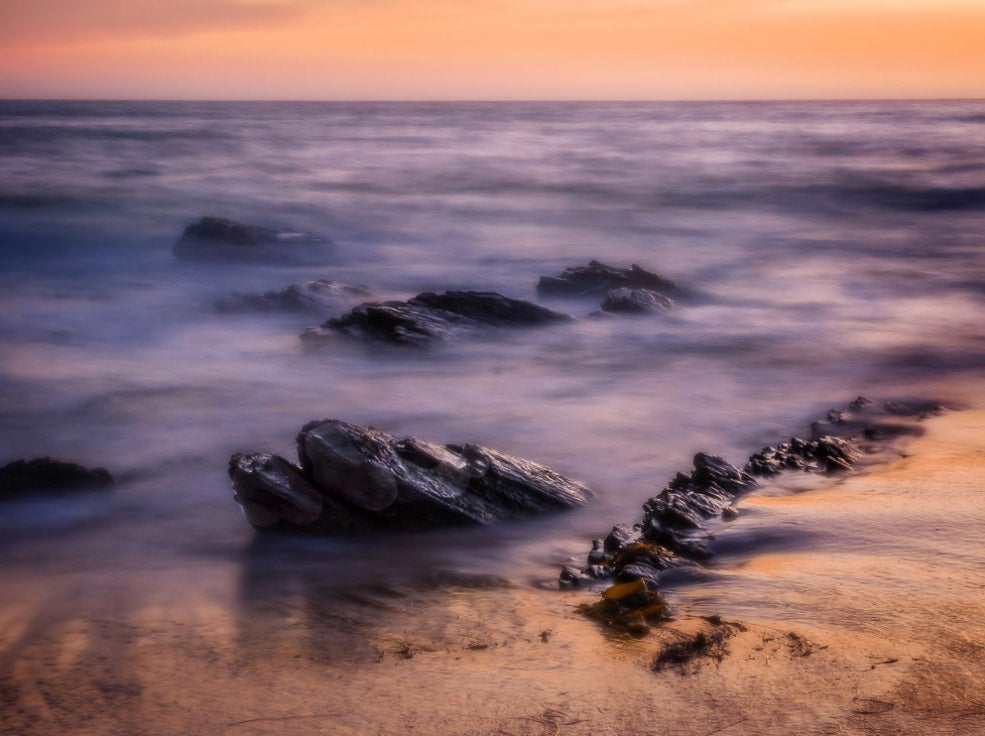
point(353, 479)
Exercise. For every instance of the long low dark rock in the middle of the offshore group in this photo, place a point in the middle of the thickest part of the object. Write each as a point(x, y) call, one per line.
point(428, 317)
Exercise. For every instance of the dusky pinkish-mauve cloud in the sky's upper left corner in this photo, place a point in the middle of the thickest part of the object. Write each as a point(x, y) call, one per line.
point(39, 21)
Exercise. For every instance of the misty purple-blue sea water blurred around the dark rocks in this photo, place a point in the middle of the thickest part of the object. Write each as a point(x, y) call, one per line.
point(836, 248)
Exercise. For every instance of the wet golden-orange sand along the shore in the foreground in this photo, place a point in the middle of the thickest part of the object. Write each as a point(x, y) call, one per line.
point(885, 638)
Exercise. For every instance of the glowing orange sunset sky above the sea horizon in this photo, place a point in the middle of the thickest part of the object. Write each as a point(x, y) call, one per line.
point(491, 49)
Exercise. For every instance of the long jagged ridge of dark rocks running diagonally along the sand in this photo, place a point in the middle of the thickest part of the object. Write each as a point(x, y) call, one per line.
point(672, 530)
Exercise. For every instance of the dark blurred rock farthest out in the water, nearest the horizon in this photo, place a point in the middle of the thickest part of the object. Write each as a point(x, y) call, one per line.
point(216, 239)
